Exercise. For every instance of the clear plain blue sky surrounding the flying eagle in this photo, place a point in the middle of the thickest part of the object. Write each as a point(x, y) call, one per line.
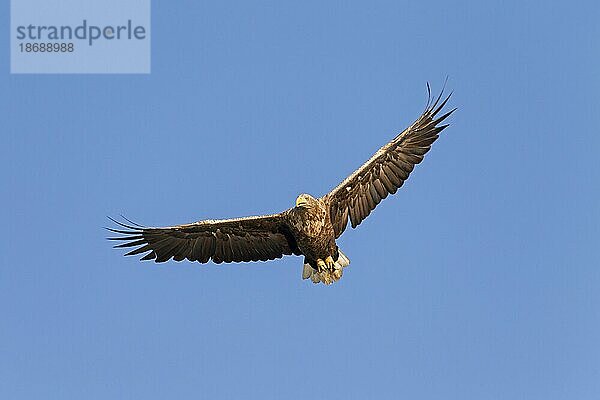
point(479, 279)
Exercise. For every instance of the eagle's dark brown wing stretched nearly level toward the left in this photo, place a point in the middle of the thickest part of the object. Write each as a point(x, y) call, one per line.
point(231, 240)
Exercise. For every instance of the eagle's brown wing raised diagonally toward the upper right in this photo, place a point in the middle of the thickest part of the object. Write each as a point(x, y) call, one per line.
point(387, 170)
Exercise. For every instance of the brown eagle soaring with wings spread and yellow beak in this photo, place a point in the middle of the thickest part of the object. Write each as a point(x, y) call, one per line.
point(308, 229)
